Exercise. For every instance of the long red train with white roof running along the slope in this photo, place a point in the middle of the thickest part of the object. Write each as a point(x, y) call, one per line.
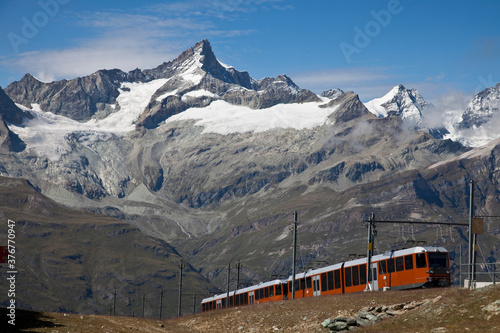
point(415, 267)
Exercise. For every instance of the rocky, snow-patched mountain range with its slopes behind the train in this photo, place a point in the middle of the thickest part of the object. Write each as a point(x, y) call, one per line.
point(115, 177)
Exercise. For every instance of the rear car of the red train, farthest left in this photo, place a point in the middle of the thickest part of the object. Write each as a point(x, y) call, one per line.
point(263, 292)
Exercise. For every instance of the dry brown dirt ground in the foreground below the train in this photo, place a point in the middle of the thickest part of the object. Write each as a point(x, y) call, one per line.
point(450, 310)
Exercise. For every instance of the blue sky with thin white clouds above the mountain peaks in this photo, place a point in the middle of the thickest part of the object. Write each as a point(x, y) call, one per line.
point(439, 47)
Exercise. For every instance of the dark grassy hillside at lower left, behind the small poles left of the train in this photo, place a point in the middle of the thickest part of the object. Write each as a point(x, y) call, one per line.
point(70, 260)
